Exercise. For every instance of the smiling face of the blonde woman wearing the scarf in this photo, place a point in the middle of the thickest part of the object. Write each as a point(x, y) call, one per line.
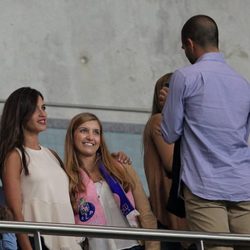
point(87, 138)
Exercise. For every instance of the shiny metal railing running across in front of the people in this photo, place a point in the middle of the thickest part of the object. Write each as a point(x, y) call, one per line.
point(199, 238)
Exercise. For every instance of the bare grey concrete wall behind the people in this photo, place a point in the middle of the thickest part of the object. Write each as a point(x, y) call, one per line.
point(107, 52)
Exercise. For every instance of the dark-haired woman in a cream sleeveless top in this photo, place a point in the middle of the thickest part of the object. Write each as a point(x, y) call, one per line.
point(35, 185)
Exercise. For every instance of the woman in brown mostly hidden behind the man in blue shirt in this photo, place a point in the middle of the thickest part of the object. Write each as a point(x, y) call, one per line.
point(158, 156)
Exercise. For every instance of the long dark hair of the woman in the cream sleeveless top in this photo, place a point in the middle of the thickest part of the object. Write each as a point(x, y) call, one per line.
point(17, 111)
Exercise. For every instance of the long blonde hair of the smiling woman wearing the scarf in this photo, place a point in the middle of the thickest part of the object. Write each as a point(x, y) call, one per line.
point(72, 162)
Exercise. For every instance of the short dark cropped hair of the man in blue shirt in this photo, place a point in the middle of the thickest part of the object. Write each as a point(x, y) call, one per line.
point(201, 29)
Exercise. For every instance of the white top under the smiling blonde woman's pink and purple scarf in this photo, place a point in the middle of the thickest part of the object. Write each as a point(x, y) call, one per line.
point(114, 217)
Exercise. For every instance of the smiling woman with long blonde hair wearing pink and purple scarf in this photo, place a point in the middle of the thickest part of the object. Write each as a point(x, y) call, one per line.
point(103, 191)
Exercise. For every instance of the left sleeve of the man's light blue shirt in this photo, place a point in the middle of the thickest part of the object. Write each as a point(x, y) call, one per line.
point(173, 110)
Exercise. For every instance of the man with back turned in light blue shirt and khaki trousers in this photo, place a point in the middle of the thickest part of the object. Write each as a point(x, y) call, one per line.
point(208, 106)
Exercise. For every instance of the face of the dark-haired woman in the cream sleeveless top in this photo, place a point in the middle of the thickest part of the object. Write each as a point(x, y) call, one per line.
point(38, 120)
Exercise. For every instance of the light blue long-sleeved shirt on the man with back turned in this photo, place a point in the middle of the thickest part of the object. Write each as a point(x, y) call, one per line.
point(209, 106)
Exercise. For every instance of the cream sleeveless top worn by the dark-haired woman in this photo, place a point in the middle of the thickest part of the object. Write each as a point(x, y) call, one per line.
point(45, 196)
